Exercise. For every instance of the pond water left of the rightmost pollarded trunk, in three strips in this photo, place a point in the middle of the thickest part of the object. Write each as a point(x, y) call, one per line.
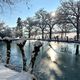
point(16, 57)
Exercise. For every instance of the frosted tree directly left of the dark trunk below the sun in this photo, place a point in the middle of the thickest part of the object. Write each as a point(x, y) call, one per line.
point(41, 16)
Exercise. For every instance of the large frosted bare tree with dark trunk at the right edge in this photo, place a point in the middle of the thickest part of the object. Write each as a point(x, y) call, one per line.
point(69, 12)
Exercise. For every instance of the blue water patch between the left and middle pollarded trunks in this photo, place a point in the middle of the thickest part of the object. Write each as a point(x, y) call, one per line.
point(16, 58)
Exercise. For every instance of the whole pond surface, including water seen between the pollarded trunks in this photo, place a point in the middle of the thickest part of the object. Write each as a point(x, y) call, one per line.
point(55, 61)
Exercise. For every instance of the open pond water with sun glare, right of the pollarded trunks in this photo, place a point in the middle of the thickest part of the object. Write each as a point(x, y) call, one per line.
point(65, 67)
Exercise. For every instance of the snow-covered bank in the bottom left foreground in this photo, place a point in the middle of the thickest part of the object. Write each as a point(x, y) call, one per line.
point(7, 74)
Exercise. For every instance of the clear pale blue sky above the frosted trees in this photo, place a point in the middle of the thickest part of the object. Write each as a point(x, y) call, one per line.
point(10, 15)
